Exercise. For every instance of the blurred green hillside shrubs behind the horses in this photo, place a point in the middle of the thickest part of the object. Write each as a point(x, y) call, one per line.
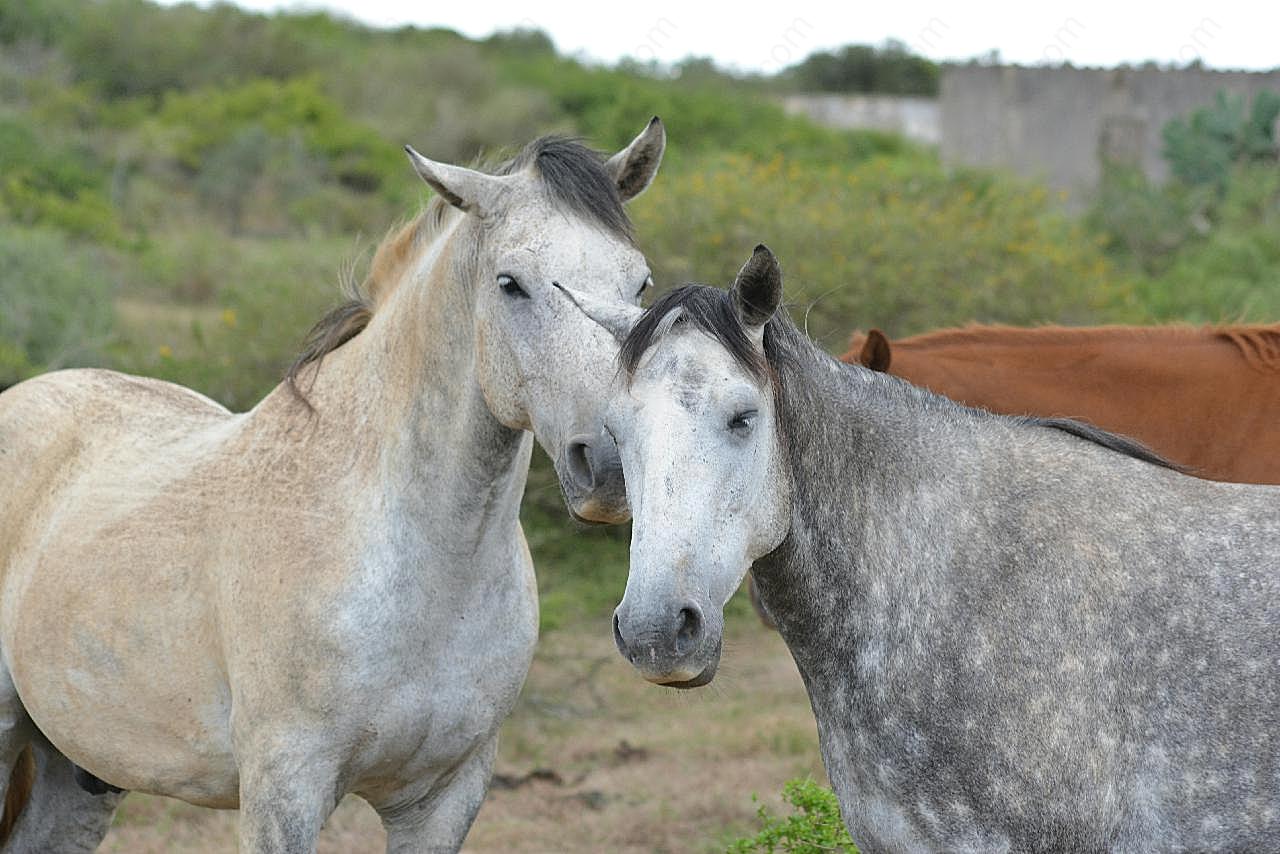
point(182, 188)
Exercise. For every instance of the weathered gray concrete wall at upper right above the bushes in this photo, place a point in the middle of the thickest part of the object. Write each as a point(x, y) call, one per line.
point(1060, 124)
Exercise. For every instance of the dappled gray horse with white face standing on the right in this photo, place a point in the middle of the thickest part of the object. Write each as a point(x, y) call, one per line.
point(1017, 634)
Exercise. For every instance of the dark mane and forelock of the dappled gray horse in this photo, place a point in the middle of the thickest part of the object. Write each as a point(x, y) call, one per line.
point(714, 312)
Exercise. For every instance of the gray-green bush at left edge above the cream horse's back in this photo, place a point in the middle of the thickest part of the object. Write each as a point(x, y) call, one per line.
point(56, 304)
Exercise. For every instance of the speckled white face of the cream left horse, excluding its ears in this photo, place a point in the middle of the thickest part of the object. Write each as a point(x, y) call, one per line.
point(546, 367)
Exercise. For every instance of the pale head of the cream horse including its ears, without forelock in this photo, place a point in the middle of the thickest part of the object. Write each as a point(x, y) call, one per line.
point(542, 364)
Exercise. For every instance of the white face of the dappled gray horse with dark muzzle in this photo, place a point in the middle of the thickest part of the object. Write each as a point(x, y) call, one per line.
point(708, 492)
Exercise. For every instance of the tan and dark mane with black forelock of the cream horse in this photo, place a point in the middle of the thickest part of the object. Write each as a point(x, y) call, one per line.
point(574, 177)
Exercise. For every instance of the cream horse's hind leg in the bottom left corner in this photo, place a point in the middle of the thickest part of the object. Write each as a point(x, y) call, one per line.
point(61, 816)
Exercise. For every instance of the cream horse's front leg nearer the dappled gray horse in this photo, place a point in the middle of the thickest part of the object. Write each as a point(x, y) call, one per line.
point(441, 821)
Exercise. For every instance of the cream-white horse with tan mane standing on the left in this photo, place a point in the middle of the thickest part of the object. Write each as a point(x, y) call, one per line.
point(332, 592)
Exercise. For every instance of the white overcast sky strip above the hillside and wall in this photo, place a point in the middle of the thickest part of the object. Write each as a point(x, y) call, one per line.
point(1224, 34)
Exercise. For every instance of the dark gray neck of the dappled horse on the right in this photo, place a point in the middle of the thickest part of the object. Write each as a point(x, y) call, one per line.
point(870, 477)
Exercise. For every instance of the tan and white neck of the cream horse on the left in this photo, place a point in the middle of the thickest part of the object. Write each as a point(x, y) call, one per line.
point(400, 413)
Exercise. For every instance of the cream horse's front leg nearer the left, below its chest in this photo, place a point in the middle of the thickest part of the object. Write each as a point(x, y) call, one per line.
point(286, 794)
